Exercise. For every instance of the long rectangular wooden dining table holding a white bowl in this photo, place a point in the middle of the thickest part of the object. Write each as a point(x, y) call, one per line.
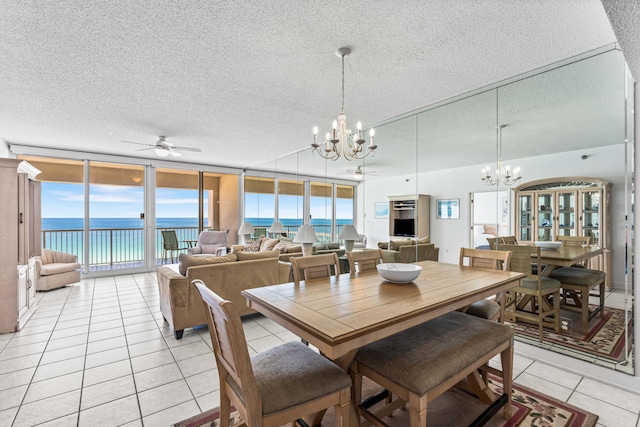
point(340, 314)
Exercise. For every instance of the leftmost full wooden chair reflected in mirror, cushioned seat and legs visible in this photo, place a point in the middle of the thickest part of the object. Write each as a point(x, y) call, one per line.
point(534, 290)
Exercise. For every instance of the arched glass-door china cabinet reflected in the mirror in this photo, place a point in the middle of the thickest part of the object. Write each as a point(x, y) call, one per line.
point(572, 206)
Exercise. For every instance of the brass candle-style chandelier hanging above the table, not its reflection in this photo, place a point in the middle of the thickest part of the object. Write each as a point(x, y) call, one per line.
point(342, 141)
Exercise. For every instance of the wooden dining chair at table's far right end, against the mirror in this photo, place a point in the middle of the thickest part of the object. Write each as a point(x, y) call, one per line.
point(495, 260)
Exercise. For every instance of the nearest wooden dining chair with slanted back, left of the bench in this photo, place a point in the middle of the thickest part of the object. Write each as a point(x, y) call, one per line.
point(274, 387)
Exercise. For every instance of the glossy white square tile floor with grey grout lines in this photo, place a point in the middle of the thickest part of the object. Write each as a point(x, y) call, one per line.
point(99, 353)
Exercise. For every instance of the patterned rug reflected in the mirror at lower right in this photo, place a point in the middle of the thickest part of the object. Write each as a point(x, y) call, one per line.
point(605, 337)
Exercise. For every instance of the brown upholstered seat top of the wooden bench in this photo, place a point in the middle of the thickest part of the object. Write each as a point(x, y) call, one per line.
point(426, 355)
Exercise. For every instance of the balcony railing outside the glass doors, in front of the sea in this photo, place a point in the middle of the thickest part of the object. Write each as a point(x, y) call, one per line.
point(115, 248)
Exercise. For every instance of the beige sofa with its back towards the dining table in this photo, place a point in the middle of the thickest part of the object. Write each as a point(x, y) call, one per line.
point(180, 302)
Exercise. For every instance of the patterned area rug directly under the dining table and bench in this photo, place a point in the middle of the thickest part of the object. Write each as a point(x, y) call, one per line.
point(457, 408)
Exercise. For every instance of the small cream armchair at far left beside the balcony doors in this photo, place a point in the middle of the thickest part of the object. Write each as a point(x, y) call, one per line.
point(56, 269)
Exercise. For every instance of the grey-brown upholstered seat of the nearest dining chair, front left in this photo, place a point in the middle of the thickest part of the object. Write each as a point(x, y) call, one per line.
point(280, 384)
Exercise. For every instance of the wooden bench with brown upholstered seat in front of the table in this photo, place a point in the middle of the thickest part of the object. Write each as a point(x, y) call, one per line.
point(419, 364)
